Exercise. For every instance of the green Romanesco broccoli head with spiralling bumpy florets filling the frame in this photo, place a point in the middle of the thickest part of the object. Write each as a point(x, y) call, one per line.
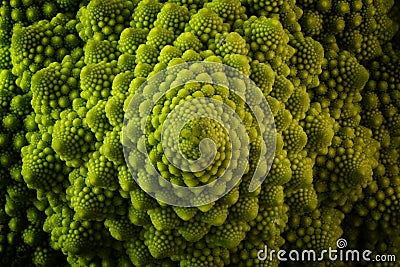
point(329, 69)
